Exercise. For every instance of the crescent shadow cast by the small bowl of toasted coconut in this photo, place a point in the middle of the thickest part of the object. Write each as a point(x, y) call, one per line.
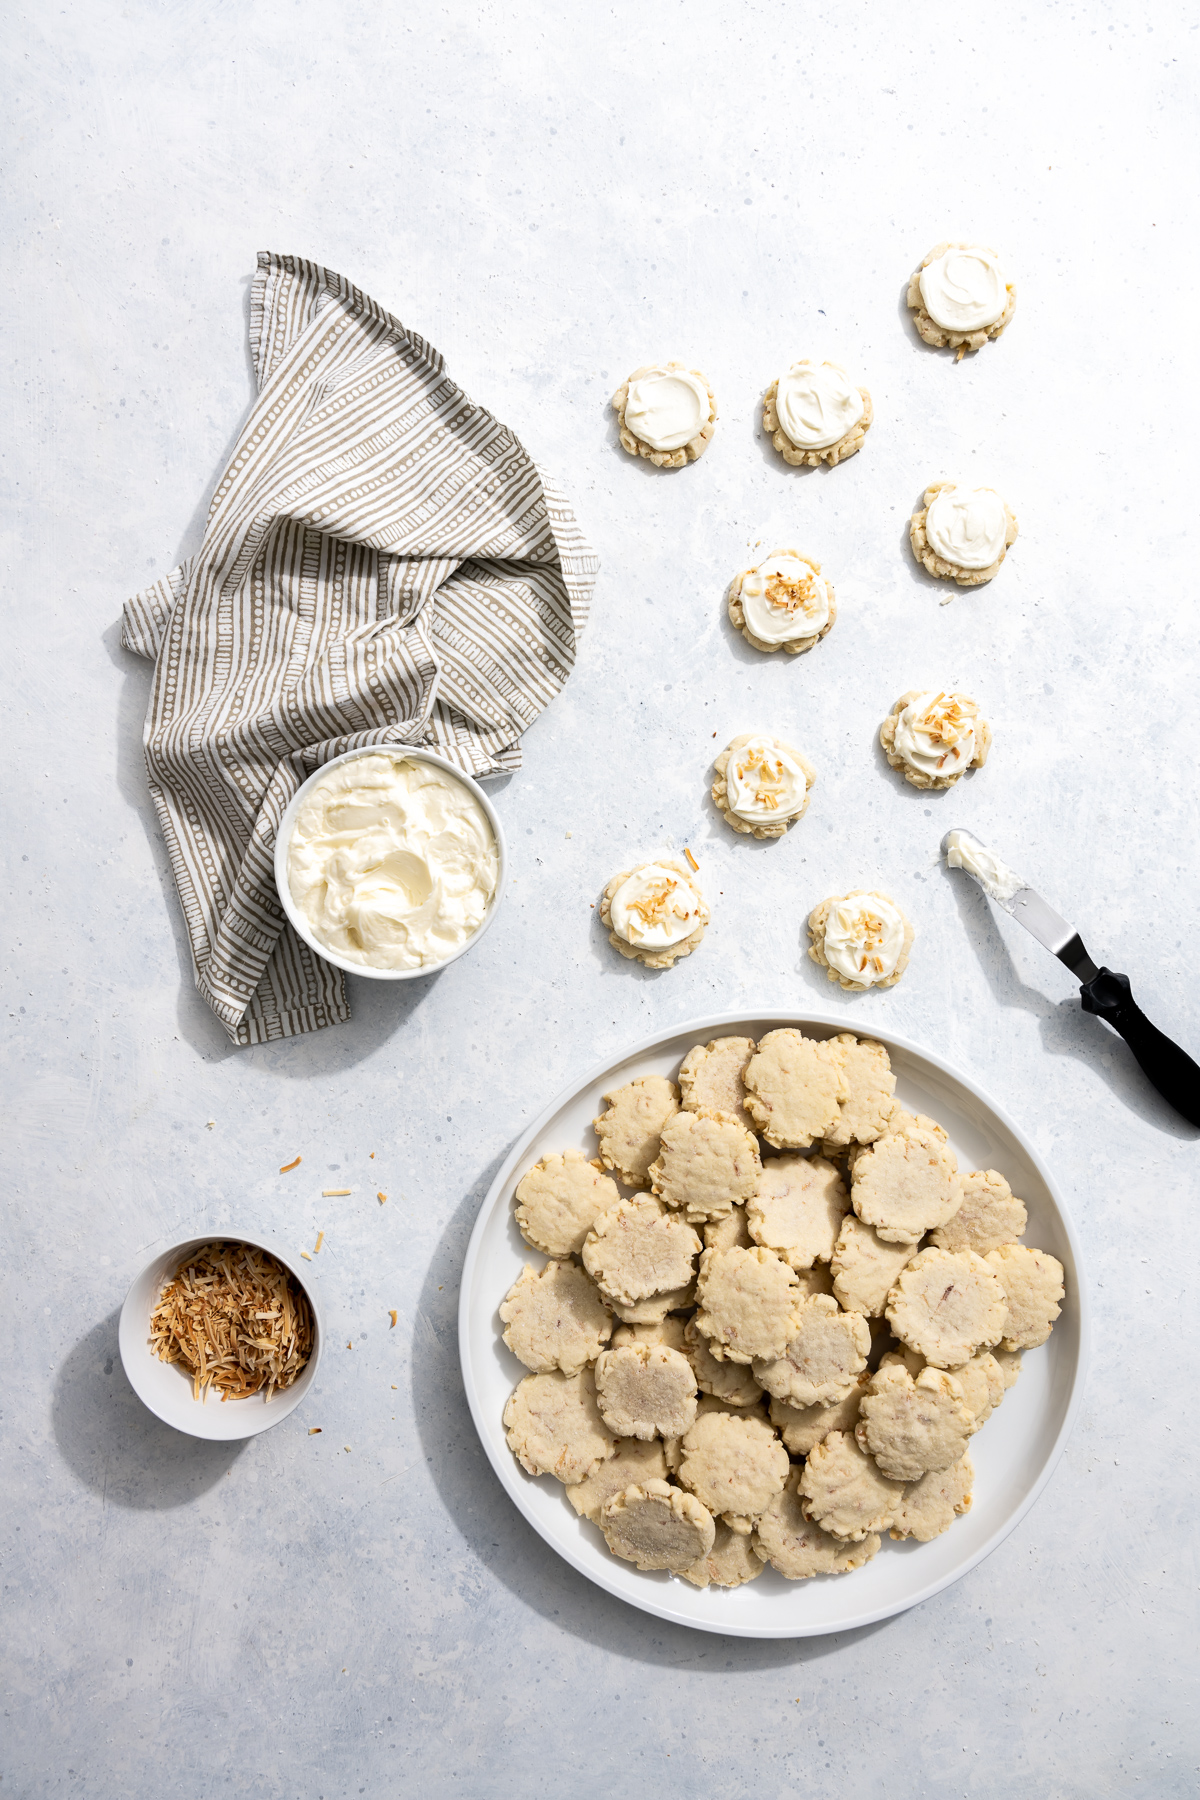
point(116, 1444)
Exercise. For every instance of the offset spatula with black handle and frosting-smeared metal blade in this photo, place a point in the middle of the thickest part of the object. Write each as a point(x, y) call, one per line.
point(1102, 993)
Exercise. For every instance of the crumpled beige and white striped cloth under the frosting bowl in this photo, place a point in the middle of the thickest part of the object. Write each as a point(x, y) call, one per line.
point(382, 564)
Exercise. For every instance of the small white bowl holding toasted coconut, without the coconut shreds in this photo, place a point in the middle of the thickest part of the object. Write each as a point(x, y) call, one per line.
point(168, 1389)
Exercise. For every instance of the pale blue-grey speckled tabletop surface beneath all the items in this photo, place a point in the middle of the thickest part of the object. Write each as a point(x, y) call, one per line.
point(555, 195)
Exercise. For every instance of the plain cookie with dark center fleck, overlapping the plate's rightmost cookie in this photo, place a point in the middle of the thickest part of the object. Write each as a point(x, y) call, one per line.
point(947, 1306)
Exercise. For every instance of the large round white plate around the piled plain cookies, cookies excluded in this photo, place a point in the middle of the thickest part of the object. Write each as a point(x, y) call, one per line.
point(1014, 1455)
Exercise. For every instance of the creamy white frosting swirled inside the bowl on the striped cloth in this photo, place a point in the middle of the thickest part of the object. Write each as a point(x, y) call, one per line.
point(393, 863)
